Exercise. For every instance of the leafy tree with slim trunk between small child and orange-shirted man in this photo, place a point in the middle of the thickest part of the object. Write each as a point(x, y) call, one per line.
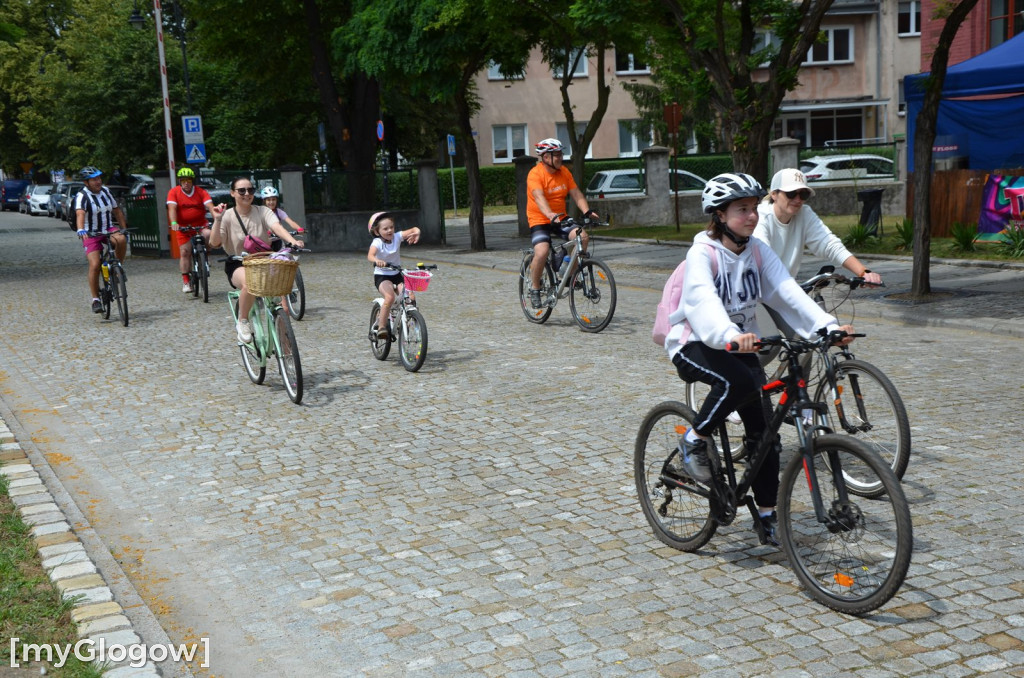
point(438, 48)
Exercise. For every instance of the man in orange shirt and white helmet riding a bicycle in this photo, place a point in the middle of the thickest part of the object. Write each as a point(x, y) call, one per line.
point(547, 187)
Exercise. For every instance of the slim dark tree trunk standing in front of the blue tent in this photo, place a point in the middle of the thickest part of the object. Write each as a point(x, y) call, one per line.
point(924, 140)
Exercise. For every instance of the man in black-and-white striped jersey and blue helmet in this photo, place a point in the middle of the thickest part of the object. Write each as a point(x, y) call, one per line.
point(96, 211)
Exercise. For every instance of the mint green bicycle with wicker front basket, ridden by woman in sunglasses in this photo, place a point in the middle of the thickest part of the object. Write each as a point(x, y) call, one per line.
point(273, 335)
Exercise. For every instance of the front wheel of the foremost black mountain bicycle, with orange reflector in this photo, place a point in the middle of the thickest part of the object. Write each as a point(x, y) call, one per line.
point(857, 560)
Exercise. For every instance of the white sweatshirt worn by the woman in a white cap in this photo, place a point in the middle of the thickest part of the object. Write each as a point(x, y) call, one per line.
point(805, 230)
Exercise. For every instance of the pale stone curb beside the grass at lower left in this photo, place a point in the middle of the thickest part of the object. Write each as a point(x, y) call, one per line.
point(98, 617)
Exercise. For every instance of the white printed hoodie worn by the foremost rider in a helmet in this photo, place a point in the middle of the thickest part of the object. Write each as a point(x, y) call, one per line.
point(718, 309)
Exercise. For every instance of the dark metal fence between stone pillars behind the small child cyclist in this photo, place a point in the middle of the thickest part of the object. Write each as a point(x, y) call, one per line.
point(343, 191)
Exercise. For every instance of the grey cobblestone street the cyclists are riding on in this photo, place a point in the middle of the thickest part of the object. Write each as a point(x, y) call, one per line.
point(479, 518)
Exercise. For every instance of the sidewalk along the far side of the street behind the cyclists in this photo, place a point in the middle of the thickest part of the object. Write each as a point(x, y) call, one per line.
point(970, 295)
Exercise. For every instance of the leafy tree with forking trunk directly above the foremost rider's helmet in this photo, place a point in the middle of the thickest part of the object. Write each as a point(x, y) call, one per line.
point(719, 39)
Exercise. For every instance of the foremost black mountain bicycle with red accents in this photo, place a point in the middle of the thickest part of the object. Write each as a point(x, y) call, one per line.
point(850, 554)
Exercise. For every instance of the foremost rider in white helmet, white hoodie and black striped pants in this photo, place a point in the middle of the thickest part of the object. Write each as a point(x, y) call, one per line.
point(718, 307)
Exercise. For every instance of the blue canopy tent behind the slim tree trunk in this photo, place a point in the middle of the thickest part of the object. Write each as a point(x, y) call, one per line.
point(982, 116)
